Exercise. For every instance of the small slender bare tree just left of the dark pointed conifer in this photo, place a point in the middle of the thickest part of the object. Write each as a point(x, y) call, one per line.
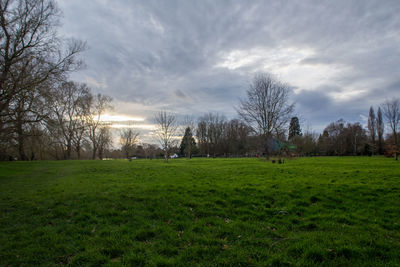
point(166, 130)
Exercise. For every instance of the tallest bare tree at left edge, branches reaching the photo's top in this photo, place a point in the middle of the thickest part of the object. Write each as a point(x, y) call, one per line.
point(31, 58)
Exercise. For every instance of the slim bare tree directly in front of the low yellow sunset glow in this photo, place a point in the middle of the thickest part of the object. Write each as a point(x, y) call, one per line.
point(98, 105)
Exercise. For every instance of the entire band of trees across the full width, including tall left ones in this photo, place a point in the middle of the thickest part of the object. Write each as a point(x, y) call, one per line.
point(45, 115)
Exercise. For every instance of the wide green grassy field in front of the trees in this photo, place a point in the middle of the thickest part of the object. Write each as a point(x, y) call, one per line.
point(201, 212)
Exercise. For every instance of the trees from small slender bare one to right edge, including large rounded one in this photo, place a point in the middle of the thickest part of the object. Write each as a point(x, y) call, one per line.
point(266, 127)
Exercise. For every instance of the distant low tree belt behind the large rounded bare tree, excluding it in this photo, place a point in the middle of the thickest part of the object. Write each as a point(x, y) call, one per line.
point(215, 136)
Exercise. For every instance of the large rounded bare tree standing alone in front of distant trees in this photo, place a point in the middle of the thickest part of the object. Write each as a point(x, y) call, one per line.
point(266, 109)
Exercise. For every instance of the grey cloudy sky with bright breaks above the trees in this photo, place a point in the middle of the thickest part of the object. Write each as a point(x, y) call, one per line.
point(193, 57)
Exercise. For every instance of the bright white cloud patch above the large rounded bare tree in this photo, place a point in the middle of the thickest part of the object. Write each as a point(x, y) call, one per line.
point(287, 63)
